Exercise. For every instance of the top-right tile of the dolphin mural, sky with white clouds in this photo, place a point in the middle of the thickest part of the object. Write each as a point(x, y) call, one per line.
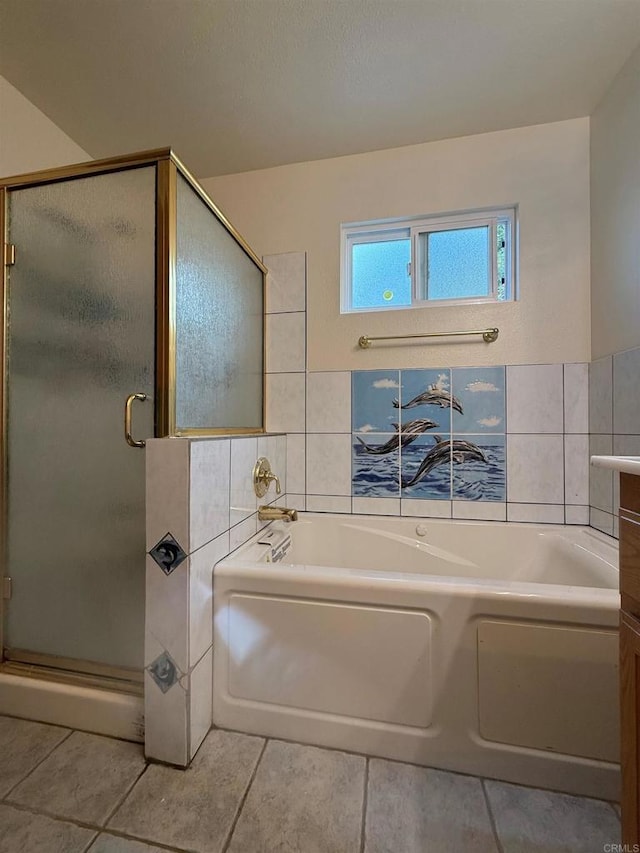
point(480, 391)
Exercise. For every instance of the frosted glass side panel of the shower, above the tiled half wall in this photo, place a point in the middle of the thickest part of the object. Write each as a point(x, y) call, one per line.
point(219, 323)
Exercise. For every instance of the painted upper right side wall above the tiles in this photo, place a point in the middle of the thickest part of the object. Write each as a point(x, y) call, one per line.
point(615, 214)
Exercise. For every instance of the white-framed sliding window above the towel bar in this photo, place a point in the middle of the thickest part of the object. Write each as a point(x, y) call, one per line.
point(440, 260)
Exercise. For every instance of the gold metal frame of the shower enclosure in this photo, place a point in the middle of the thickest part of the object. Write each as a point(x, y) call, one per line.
point(168, 166)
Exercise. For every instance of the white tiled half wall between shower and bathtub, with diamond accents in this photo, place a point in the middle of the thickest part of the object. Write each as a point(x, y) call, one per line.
point(200, 506)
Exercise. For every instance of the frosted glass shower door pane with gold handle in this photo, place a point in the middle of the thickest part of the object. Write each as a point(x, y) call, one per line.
point(81, 337)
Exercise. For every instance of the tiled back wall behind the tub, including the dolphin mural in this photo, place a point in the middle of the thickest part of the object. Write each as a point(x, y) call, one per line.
point(520, 433)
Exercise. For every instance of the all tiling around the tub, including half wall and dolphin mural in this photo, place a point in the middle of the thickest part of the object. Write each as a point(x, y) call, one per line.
point(525, 458)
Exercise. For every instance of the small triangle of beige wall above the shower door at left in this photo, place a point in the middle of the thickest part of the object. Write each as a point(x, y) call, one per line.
point(29, 141)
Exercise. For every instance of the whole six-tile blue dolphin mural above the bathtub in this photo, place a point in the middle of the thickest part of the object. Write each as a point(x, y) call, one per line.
point(436, 434)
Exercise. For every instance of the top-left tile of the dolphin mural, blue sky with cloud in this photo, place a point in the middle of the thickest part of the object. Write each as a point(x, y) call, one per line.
point(373, 392)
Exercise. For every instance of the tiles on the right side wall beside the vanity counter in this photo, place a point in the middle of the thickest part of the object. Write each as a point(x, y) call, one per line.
point(614, 427)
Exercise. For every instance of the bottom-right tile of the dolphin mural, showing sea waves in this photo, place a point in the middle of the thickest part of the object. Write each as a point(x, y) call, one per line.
point(474, 479)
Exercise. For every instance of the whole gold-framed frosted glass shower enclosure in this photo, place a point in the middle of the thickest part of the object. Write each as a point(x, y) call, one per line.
point(132, 310)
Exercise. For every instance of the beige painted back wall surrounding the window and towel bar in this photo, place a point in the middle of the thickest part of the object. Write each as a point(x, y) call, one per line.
point(544, 169)
